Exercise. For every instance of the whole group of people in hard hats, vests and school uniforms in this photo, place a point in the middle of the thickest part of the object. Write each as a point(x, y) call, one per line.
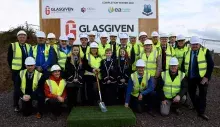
point(138, 72)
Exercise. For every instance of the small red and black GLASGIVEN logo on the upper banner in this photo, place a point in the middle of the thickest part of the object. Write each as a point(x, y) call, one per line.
point(49, 10)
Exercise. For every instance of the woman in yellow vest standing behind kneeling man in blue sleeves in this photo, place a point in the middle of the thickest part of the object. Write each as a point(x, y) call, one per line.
point(152, 59)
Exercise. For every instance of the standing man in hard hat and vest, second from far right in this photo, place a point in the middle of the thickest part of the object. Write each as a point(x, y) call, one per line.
point(180, 49)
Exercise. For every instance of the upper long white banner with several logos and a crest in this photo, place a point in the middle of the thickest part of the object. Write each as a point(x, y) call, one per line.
point(98, 9)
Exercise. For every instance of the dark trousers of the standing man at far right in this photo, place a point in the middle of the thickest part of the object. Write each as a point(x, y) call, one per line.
point(199, 101)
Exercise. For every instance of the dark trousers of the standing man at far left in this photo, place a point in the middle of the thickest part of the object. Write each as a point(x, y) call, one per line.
point(15, 94)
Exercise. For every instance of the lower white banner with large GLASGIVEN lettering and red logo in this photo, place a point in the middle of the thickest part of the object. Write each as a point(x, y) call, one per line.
point(78, 26)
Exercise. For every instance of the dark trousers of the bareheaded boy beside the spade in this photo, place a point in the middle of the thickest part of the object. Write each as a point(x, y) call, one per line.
point(110, 93)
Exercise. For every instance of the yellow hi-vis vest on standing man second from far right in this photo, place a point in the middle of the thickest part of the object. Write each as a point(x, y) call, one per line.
point(180, 53)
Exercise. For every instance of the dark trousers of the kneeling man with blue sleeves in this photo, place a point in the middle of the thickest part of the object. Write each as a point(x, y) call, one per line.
point(139, 105)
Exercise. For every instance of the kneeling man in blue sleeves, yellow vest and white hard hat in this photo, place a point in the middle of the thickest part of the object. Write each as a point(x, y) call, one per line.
point(140, 88)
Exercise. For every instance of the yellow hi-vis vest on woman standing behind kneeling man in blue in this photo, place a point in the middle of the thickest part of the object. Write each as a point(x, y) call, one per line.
point(151, 61)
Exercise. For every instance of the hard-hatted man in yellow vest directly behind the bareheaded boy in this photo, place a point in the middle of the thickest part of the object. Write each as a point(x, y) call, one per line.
point(103, 45)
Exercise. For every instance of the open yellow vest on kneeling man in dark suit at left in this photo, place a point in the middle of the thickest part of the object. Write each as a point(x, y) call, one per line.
point(36, 78)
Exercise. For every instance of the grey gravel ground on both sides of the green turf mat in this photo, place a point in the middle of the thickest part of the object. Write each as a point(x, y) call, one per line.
point(188, 119)
